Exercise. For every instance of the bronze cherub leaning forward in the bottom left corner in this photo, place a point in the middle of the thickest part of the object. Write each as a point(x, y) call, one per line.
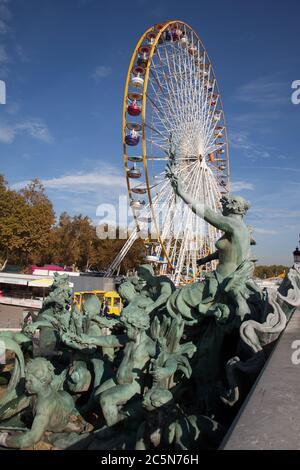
point(53, 410)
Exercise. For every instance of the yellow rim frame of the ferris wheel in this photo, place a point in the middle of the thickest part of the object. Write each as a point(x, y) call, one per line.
point(152, 47)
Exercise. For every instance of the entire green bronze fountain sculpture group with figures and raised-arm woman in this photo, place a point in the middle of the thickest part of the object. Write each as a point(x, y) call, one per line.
point(169, 373)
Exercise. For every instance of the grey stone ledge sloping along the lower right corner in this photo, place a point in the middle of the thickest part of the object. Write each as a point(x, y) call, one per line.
point(270, 419)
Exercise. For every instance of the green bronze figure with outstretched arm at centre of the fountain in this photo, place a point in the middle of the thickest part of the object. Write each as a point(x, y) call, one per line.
point(154, 351)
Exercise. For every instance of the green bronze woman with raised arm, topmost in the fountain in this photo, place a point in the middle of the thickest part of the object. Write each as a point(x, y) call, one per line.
point(233, 250)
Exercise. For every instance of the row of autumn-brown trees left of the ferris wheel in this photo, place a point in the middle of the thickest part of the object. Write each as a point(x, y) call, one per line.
point(28, 234)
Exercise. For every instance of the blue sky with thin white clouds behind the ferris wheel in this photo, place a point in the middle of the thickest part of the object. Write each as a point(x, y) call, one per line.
point(65, 62)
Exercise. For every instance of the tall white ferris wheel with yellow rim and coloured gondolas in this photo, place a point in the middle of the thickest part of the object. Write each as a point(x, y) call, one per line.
point(173, 113)
